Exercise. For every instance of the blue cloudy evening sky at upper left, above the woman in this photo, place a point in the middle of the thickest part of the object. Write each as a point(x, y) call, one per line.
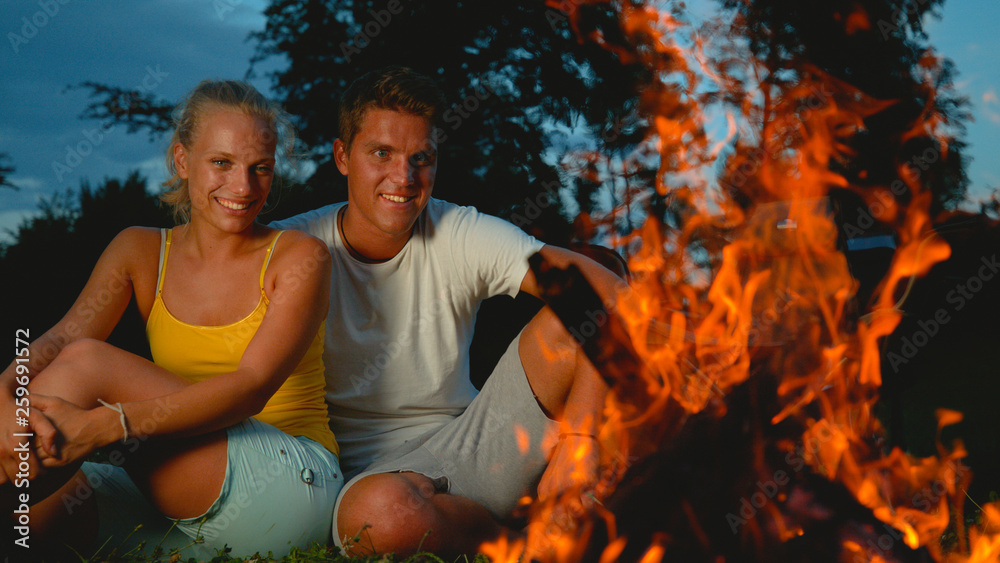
point(163, 46)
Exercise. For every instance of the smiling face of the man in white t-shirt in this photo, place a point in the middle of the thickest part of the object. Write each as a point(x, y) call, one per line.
point(390, 168)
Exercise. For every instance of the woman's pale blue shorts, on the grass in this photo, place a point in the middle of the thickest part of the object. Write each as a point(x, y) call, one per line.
point(278, 493)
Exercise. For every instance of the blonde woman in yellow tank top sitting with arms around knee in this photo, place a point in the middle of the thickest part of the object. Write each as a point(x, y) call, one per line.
point(234, 312)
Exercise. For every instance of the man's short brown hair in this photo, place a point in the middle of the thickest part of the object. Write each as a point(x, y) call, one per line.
point(395, 88)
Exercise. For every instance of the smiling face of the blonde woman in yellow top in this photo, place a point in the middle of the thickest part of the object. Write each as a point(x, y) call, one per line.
point(228, 168)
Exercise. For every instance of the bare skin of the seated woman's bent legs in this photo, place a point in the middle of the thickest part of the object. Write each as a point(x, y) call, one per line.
point(181, 477)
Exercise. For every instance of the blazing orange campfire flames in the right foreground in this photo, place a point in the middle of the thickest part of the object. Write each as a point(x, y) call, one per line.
point(750, 283)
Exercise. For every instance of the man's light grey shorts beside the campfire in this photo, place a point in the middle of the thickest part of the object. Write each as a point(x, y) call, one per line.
point(493, 453)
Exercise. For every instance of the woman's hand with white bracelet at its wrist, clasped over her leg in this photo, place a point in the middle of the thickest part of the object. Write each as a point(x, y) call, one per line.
point(80, 431)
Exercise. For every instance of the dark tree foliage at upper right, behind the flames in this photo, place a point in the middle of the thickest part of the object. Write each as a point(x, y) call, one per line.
point(878, 47)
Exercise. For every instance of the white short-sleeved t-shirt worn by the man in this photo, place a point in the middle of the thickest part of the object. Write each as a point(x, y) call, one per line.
point(398, 332)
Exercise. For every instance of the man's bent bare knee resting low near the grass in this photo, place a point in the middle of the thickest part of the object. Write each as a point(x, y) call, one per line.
point(388, 513)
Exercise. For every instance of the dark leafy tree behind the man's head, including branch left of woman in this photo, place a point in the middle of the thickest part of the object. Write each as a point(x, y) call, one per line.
point(514, 73)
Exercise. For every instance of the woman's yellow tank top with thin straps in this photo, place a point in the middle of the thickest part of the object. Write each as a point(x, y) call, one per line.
point(199, 352)
